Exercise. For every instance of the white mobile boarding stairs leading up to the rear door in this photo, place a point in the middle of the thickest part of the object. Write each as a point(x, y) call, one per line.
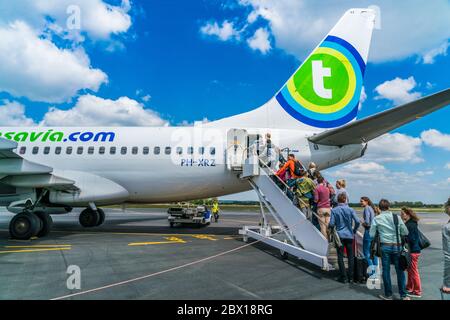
point(294, 234)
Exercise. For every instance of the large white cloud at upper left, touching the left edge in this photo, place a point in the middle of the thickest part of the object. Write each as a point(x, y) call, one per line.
point(36, 68)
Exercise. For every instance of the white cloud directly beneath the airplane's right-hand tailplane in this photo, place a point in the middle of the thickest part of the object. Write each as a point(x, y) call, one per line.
point(395, 147)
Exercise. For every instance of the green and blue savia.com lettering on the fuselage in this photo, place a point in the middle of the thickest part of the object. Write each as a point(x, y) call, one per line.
point(58, 136)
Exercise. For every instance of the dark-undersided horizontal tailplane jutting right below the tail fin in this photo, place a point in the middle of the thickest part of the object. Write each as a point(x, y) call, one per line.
point(364, 130)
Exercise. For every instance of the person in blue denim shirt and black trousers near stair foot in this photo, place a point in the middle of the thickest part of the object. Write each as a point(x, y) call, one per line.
point(346, 222)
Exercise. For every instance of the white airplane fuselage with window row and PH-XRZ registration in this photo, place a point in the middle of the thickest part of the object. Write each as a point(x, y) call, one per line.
point(149, 176)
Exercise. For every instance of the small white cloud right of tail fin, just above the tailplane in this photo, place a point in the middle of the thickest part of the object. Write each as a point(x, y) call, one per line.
point(398, 90)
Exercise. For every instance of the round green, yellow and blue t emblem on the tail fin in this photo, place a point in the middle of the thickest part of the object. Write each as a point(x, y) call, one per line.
point(325, 91)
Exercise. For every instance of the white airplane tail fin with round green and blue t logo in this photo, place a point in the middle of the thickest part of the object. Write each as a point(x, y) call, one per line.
point(324, 92)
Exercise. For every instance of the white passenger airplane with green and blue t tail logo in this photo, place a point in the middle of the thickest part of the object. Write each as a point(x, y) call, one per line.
point(46, 171)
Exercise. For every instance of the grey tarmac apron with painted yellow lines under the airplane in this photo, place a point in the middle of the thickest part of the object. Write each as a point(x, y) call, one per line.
point(136, 255)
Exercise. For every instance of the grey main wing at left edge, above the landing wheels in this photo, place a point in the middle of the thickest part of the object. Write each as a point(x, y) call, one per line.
point(18, 172)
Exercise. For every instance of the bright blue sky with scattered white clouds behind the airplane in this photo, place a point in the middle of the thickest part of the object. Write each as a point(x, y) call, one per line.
point(175, 62)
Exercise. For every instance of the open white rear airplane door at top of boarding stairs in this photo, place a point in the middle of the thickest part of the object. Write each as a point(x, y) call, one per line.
point(236, 147)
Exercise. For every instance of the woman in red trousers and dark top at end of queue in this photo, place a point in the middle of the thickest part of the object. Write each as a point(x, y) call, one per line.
point(413, 286)
